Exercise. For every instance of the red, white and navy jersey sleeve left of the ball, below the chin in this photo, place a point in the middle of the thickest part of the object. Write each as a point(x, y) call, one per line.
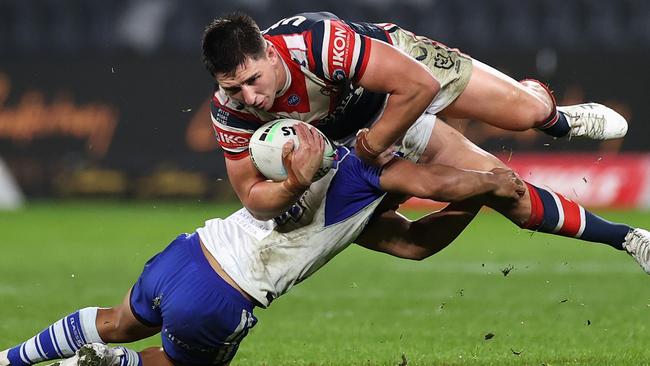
point(232, 128)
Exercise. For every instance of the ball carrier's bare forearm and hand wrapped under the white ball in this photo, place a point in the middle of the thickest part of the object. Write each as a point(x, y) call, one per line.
point(266, 199)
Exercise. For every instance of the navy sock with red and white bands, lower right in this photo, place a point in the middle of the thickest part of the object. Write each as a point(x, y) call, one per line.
point(553, 213)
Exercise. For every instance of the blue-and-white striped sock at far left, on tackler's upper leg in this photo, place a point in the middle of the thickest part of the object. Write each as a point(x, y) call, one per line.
point(60, 340)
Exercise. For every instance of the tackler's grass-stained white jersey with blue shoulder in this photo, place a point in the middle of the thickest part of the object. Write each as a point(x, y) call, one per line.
point(267, 258)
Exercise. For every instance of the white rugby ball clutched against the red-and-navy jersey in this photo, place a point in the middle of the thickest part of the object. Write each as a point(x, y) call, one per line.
point(265, 149)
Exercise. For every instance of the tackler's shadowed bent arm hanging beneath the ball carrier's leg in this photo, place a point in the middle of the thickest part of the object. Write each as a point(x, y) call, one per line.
point(394, 234)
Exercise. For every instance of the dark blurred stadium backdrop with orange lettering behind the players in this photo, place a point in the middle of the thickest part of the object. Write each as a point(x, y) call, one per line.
point(138, 63)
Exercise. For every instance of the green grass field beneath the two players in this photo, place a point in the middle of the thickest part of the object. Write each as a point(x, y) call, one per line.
point(563, 303)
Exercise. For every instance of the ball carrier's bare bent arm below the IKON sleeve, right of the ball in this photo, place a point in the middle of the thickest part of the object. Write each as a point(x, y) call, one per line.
point(411, 88)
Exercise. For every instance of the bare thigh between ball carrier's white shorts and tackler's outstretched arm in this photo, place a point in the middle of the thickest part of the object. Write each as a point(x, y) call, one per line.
point(449, 147)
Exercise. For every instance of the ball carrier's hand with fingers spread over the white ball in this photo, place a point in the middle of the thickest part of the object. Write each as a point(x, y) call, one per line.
point(302, 162)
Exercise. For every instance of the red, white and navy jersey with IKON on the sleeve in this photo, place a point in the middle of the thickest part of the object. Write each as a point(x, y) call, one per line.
point(324, 57)
